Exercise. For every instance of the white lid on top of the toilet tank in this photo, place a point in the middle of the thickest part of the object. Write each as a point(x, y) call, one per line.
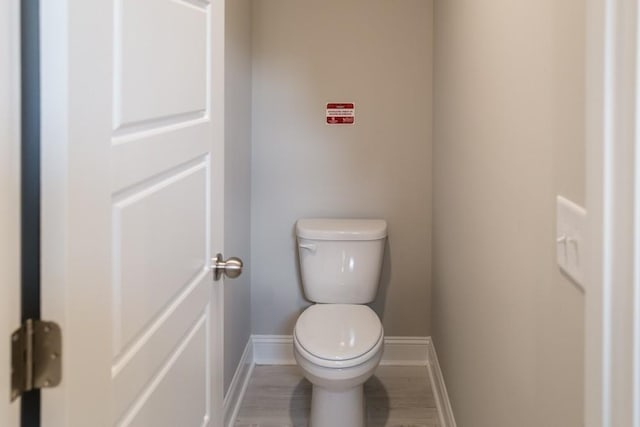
point(341, 229)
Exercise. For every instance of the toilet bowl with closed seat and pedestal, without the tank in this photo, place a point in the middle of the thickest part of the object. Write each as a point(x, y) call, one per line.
point(338, 347)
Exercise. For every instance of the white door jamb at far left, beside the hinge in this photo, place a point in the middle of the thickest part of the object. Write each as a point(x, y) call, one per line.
point(9, 199)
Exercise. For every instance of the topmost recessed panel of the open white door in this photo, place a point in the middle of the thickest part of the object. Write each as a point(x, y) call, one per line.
point(168, 51)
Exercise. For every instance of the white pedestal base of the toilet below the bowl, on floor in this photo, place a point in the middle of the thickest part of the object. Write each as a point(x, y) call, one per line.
point(344, 408)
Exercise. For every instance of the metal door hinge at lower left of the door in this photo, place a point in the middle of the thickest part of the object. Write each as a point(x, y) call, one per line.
point(36, 357)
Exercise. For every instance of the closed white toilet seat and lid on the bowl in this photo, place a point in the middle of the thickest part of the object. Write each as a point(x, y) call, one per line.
point(338, 335)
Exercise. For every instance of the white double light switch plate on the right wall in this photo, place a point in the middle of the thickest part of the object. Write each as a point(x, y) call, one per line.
point(570, 244)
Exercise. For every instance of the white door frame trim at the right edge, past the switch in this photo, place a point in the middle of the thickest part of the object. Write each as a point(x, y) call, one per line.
point(612, 298)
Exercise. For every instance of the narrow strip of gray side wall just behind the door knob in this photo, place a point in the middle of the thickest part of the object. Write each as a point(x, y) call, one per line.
point(237, 292)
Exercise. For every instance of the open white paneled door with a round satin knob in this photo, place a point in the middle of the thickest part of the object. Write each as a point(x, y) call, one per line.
point(132, 209)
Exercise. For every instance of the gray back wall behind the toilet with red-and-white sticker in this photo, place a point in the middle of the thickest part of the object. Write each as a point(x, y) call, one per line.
point(378, 54)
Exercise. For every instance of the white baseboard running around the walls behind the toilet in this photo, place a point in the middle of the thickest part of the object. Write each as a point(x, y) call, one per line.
point(278, 350)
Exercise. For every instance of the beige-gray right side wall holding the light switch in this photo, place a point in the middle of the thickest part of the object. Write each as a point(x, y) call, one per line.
point(509, 106)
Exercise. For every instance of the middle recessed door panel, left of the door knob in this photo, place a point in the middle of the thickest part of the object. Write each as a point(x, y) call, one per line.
point(153, 259)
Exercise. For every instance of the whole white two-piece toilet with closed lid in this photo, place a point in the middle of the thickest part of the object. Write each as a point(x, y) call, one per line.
point(338, 341)
